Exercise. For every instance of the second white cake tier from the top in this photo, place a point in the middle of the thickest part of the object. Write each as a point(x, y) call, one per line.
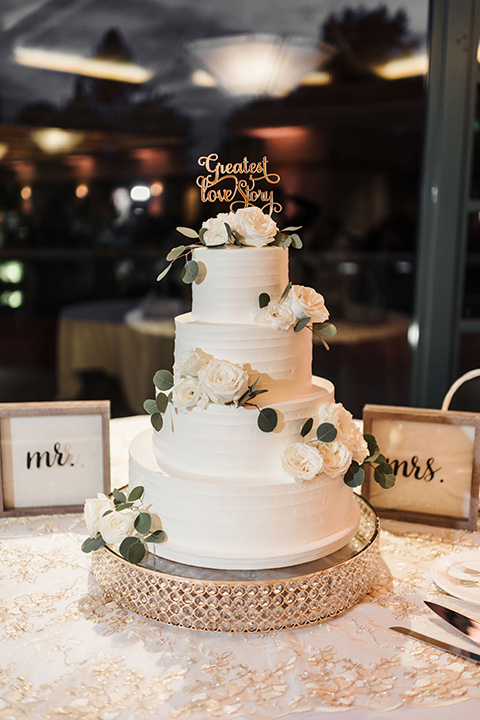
point(281, 359)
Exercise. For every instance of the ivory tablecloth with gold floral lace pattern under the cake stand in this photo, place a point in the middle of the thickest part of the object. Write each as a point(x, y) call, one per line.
point(66, 653)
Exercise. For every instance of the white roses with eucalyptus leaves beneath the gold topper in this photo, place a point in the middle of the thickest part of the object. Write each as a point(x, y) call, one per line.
point(247, 227)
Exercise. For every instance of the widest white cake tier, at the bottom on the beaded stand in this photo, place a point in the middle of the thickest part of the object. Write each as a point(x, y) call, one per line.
point(266, 523)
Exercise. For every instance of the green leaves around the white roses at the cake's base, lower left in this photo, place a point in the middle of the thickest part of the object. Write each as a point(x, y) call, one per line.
point(133, 547)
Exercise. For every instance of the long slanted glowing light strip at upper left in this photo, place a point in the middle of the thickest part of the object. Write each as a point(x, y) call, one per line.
point(77, 65)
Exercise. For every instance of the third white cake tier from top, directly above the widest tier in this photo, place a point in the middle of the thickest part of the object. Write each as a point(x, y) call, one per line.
point(225, 441)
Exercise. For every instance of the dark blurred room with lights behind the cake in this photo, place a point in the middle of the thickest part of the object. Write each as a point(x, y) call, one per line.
point(105, 108)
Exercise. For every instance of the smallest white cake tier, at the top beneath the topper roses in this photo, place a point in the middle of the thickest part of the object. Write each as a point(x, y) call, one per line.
point(231, 279)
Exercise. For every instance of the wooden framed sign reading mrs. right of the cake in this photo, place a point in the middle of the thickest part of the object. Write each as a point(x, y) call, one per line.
point(436, 457)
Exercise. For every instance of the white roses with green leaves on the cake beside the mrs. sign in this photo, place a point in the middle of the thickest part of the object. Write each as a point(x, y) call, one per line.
point(335, 448)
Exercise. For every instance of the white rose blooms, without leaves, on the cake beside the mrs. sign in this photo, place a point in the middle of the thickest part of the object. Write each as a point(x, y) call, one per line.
point(305, 460)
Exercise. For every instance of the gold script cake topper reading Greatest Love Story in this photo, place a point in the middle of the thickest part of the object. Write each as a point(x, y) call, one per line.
point(243, 191)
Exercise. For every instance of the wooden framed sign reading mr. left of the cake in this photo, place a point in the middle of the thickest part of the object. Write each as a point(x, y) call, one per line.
point(53, 455)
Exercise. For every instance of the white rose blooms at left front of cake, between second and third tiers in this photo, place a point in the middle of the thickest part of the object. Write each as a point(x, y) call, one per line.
point(201, 379)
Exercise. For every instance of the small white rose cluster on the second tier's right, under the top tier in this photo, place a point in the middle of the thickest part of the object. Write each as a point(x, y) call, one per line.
point(300, 302)
